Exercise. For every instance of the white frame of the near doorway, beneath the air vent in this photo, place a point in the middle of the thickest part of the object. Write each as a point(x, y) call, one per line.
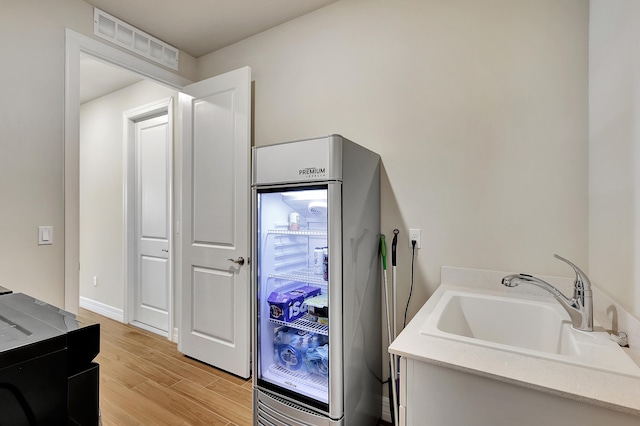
point(75, 45)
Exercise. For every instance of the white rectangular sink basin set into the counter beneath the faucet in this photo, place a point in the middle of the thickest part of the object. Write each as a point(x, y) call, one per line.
point(523, 325)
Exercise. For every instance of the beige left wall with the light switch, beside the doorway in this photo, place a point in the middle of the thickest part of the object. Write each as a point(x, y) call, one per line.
point(31, 139)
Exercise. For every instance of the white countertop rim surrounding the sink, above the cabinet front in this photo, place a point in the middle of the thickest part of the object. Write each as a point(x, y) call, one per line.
point(609, 390)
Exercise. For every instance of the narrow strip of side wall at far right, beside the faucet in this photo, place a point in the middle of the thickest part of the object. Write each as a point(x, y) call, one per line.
point(614, 150)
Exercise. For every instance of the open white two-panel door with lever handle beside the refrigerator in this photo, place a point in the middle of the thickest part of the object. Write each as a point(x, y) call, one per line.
point(215, 188)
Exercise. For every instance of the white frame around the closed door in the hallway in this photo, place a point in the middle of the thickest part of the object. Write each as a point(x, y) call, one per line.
point(129, 120)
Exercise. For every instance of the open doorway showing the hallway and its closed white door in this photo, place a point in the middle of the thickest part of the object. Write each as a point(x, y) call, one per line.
point(110, 272)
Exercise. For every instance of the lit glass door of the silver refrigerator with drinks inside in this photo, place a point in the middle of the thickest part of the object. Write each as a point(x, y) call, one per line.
point(292, 274)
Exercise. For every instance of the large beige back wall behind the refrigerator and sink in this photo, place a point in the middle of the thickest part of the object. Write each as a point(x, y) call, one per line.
point(478, 109)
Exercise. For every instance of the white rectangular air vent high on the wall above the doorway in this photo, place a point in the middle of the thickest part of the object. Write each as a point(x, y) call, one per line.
point(124, 35)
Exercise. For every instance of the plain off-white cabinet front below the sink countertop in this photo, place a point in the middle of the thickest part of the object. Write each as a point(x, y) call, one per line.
point(435, 395)
